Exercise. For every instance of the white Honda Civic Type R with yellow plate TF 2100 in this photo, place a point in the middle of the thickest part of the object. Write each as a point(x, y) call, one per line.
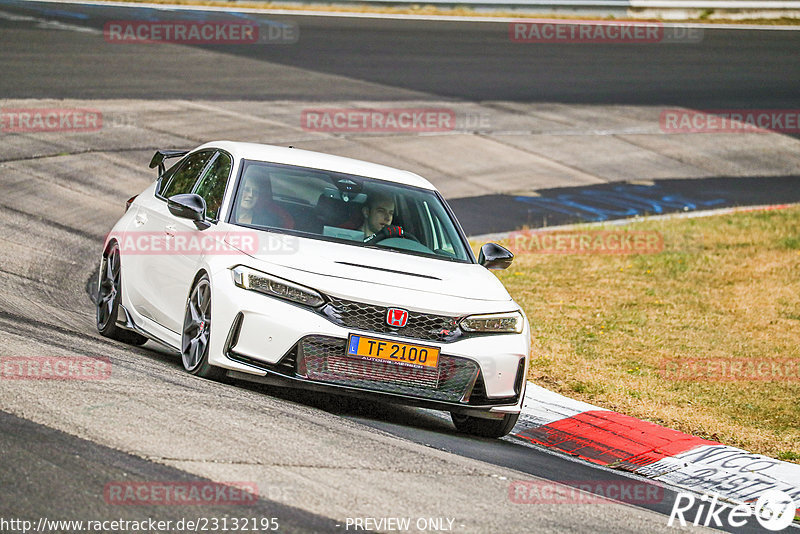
point(315, 271)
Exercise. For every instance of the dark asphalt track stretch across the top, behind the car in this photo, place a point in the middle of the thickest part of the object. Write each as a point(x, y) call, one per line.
point(458, 60)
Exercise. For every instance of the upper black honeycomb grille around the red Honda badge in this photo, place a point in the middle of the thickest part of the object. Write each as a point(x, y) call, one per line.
point(350, 314)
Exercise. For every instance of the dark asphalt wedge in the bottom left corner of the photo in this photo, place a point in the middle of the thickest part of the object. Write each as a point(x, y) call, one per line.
point(34, 454)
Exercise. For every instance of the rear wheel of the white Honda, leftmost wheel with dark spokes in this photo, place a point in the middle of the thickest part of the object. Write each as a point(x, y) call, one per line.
point(109, 295)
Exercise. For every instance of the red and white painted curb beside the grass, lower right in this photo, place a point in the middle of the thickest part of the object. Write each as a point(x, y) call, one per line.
point(608, 438)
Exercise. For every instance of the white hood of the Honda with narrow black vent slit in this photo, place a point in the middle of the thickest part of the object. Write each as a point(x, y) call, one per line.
point(339, 268)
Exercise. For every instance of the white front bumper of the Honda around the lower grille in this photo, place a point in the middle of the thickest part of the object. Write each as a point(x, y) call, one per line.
point(266, 339)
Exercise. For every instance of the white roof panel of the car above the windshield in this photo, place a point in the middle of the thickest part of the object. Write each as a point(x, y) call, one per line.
point(318, 160)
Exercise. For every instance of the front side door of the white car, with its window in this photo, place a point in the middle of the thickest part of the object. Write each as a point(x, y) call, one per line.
point(188, 242)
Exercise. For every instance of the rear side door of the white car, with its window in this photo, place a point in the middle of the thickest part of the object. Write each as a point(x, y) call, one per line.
point(154, 267)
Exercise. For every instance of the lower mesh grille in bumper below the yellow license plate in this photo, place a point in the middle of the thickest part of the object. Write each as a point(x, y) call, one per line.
point(323, 359)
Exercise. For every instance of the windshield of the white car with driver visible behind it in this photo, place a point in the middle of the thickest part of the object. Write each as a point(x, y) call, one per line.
point(349, 209)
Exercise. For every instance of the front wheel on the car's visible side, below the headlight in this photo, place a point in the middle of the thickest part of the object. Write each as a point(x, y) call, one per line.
point(196, 336)
